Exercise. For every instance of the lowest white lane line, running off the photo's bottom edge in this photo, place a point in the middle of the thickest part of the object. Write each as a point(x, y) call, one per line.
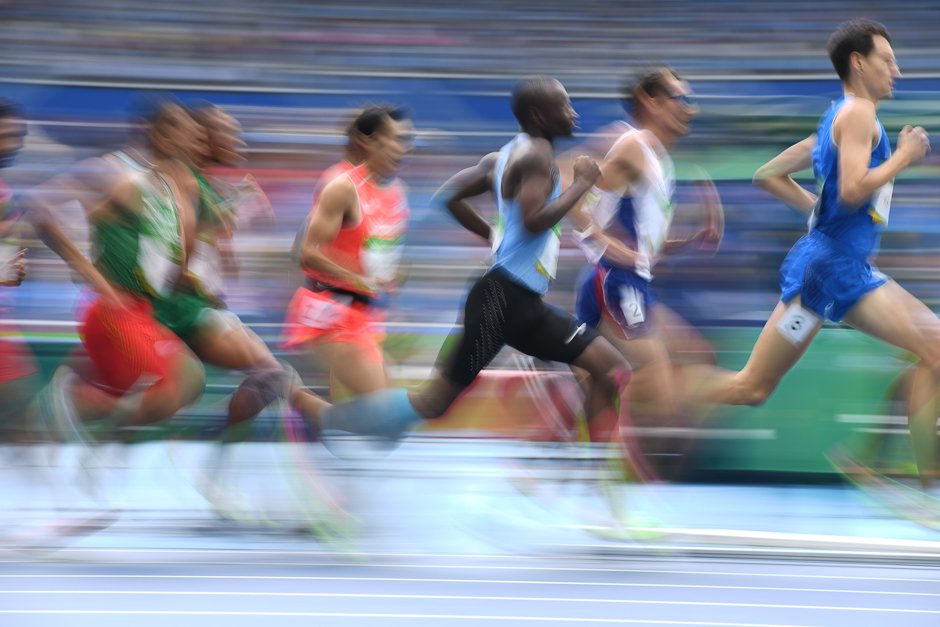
point(546, 619)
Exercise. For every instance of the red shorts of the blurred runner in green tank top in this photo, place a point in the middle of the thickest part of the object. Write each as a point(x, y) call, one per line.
point(127, 344)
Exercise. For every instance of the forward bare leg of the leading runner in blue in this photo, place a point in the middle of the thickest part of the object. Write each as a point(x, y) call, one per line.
point(892, 314)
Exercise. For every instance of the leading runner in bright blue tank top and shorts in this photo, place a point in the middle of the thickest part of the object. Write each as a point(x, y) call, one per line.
point(827, 274)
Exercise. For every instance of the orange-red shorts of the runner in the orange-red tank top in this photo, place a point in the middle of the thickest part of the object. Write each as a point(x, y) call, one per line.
point(336, 318)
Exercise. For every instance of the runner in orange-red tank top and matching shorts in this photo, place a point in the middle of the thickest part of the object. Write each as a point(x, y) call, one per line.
point(351, 253)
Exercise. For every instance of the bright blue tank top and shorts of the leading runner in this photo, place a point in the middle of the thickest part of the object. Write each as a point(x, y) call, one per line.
point(829, 267)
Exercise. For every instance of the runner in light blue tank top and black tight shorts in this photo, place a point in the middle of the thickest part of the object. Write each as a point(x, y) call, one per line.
point(506, 306)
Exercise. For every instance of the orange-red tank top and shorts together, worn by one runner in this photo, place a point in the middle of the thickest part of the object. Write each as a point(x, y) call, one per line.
point(330, 310)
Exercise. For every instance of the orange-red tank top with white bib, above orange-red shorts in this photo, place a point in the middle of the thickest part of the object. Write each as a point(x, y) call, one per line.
point(372, 247)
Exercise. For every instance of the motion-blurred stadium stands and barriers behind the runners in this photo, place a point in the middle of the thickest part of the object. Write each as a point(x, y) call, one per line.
point(291, 70)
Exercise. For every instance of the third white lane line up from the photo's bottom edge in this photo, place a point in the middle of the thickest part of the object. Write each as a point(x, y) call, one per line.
point(520, 582)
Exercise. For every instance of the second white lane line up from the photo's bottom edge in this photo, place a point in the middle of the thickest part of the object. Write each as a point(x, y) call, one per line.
point(460, 597)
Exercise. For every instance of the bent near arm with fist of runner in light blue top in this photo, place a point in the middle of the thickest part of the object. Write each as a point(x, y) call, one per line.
point(530, 179)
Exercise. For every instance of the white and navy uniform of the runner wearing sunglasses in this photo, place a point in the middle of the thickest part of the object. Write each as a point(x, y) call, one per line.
point(639, 217)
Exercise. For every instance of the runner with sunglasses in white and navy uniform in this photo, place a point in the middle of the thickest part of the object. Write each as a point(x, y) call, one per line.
point(630, 211)
